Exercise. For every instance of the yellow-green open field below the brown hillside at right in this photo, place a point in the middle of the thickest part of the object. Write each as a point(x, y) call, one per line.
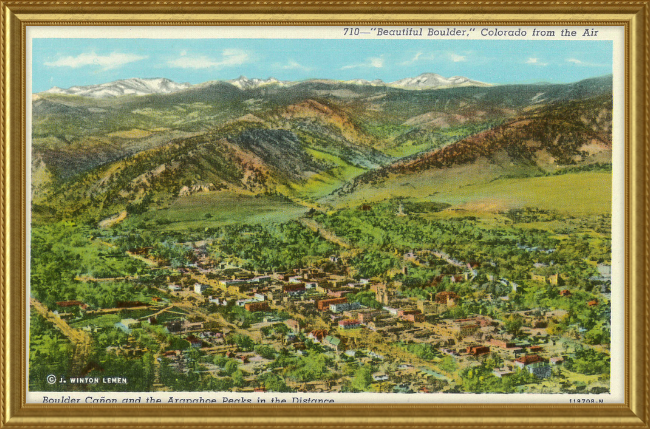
point(578, 194)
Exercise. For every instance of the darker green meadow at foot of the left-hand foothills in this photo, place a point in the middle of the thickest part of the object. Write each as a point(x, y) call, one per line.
point(212, 209)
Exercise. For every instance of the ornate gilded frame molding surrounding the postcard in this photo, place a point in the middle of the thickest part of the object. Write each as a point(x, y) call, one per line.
point(16, 15)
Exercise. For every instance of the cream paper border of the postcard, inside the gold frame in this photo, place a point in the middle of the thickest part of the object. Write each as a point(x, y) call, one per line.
point(617, 375)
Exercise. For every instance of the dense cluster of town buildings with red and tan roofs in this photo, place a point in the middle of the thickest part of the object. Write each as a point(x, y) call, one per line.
point(323, 308)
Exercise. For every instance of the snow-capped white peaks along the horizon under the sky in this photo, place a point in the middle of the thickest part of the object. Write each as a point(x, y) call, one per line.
point(146, 86)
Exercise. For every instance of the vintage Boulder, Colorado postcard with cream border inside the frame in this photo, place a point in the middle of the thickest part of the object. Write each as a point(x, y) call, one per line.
point(325, 214)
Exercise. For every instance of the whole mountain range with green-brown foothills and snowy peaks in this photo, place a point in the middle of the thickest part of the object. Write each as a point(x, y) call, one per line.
point(317, 142)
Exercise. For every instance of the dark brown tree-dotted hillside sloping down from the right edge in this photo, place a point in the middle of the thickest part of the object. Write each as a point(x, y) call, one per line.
point(548, 138)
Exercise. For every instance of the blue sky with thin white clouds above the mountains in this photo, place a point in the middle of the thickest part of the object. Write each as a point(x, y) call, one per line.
point(70, 62)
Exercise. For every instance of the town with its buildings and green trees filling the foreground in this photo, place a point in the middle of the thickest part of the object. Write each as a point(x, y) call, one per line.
point(429, 321)
